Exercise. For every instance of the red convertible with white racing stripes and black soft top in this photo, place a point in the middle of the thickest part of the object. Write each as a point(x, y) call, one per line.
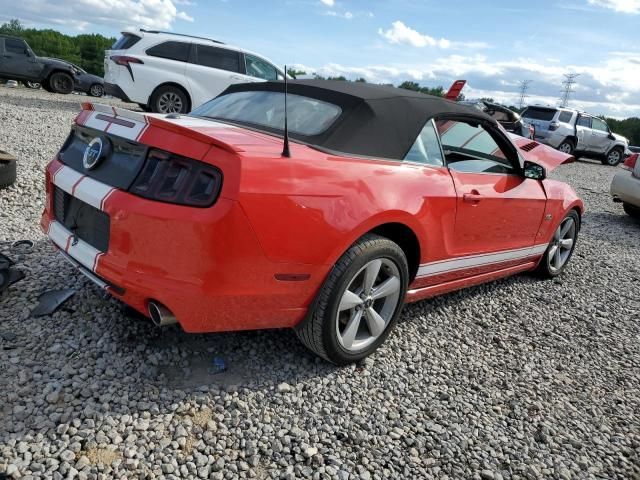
point(385, 196)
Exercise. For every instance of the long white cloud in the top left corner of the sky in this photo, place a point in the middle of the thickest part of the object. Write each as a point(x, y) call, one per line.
point(81, 14)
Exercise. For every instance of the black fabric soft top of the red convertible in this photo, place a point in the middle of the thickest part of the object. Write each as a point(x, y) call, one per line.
point(376, 120)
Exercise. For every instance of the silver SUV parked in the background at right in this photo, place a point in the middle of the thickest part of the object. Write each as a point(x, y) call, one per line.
point(577, 133)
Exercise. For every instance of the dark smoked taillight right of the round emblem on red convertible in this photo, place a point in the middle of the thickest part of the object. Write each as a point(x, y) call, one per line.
point(166, 177)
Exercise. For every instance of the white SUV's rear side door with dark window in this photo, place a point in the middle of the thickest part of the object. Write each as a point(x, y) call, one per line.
point(211, 71)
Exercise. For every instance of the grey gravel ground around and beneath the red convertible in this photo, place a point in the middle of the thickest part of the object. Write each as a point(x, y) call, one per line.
point(520, 378)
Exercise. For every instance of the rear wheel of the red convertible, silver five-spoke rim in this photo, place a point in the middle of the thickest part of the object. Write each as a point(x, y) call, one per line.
point(359, 303)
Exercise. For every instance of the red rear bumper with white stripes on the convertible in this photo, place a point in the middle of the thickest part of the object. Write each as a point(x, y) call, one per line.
point(203, 264)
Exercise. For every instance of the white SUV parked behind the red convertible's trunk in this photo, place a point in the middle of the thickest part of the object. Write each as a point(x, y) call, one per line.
point(173, 73)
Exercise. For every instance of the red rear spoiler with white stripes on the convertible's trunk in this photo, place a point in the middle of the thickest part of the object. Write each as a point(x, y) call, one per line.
point(132, 125)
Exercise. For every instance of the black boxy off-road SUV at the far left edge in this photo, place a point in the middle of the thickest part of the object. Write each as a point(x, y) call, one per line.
point(18, 62)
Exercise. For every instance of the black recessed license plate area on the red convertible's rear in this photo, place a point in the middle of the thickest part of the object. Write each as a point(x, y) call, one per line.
point(85, 221)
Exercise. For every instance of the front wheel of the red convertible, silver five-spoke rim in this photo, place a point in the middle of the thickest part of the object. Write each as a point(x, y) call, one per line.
point(561, 247)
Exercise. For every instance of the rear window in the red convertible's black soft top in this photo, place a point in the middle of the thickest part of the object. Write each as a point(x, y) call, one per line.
point(305, 116)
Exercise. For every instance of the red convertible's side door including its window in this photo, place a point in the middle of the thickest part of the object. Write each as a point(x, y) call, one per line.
point(497, 209)
